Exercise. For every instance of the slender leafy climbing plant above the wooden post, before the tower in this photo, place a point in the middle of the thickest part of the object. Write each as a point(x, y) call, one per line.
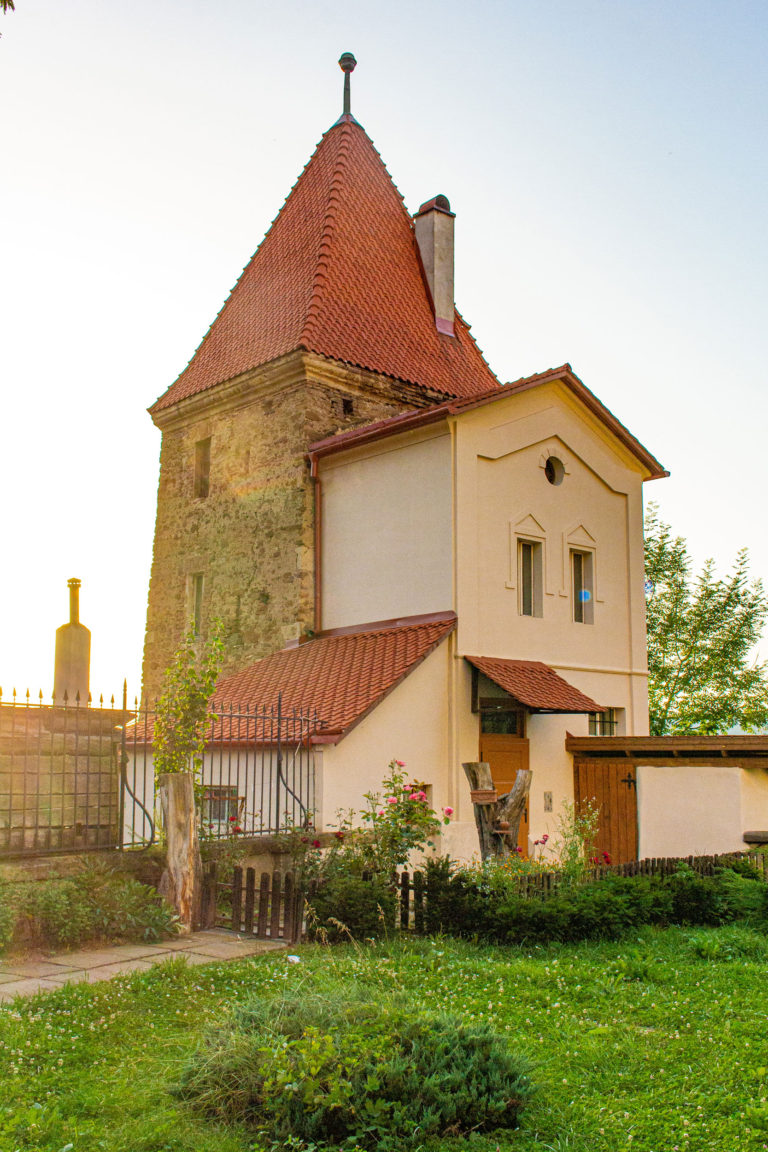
point(183, 710)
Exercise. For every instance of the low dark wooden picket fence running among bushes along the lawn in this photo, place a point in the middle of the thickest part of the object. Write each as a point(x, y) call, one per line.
point(271, 907)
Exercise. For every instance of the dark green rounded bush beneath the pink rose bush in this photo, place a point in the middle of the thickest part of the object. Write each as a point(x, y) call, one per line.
point(347, 906)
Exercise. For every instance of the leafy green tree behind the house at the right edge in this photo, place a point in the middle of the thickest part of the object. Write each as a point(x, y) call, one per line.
point(702, 633)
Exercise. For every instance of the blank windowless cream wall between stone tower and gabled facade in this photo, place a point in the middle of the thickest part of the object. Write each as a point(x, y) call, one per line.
point(387, 530)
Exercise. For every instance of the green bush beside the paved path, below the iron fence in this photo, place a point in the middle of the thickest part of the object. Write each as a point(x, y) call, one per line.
point(95, 905)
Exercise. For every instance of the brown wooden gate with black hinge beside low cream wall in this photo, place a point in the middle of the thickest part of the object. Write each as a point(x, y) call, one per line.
point(612, 787)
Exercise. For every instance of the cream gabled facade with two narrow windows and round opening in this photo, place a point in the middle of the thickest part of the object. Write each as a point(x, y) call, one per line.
point(503, 496)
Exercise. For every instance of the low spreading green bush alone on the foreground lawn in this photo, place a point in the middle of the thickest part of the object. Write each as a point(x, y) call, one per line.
point(356, 1074)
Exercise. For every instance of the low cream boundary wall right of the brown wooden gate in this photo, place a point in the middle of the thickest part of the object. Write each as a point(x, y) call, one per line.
point(690, 810)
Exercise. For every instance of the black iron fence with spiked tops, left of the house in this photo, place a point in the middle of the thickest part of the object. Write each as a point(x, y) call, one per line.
point(79, 778)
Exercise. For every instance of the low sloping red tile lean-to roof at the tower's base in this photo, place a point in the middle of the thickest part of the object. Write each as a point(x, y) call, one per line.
point(343, 676)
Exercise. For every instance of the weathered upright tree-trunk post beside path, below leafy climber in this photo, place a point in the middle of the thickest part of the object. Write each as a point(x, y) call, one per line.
point(181, 883)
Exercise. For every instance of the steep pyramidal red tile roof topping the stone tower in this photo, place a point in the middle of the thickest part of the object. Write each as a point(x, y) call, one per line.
point(338, 275)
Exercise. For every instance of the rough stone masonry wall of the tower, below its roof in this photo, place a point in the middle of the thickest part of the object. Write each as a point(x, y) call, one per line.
point(253, 537)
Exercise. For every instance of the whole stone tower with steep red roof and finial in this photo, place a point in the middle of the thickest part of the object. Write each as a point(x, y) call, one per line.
point(331, 325)
